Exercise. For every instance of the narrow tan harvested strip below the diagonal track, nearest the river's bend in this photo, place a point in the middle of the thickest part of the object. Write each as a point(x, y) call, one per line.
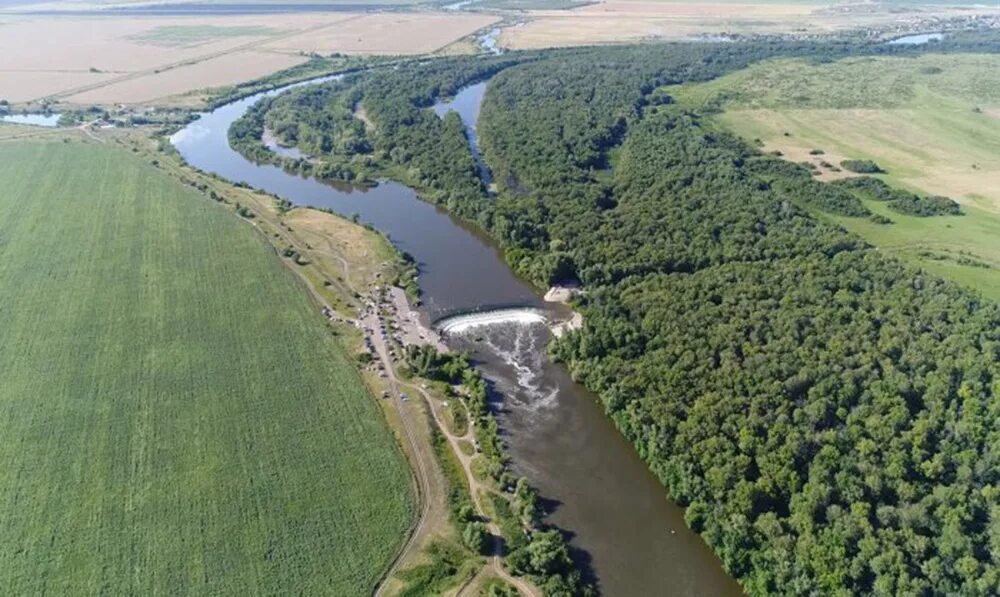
point(224, 70)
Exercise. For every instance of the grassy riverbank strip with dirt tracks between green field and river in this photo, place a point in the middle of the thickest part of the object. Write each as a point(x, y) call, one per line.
point(349, 271)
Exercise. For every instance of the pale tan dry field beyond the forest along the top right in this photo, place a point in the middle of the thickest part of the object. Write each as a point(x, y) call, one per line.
point(614, 21)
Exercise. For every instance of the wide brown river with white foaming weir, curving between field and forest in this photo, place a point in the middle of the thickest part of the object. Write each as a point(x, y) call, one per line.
point(624, 530)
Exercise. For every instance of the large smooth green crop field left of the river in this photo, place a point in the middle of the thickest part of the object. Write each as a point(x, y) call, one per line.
point(174, 416)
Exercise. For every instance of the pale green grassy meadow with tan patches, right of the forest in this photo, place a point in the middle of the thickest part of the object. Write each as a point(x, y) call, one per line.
point(933, 122)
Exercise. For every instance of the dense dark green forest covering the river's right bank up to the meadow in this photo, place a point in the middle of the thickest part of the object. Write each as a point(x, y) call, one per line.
point(826, 415)
